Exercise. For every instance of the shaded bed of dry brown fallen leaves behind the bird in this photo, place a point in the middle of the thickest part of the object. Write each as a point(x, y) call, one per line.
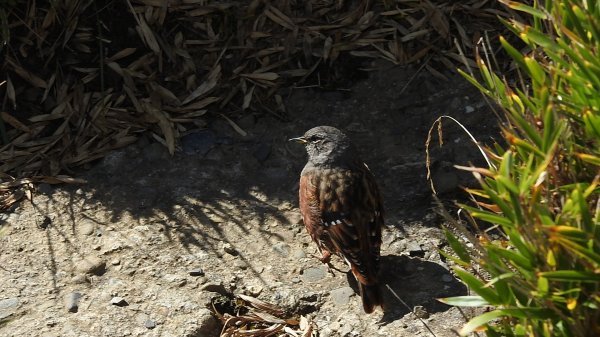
point(81, 77)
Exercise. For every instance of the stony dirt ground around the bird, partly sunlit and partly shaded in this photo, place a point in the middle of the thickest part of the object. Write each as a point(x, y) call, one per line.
point(143, 247)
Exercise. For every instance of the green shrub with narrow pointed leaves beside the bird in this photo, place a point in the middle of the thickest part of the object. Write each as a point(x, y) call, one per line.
point(542, 278)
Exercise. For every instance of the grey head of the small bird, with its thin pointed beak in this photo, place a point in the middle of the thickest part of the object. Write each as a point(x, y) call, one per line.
point(327, 145)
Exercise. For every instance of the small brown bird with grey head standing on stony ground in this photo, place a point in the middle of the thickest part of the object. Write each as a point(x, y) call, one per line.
point(342, 208)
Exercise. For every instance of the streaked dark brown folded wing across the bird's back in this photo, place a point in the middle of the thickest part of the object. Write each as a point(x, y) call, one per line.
point(352, 216)
